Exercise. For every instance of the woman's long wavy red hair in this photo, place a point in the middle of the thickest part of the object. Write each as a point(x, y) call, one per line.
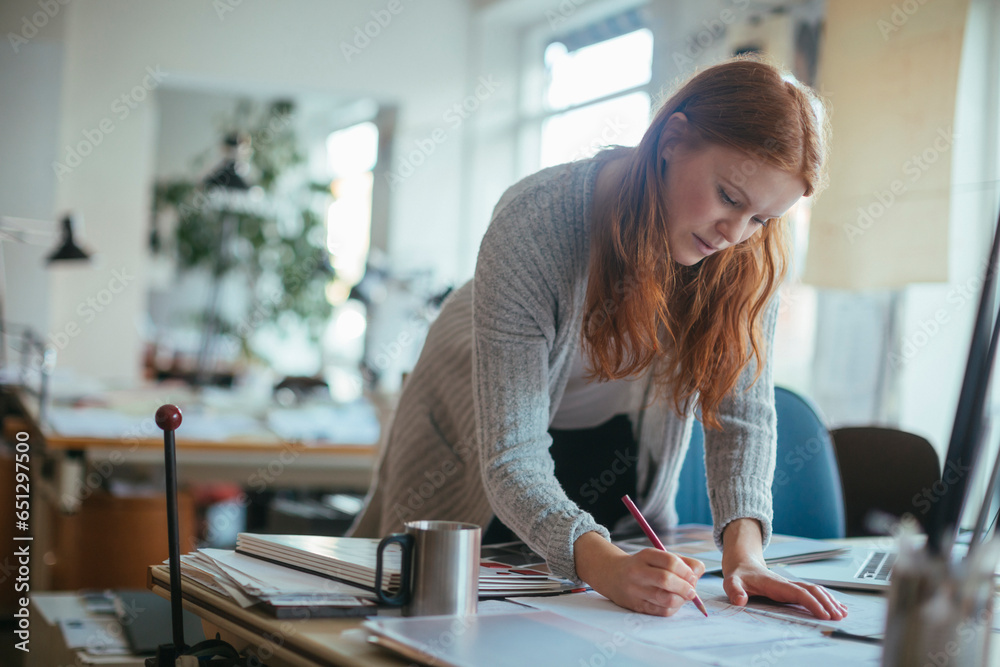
point(698, 326)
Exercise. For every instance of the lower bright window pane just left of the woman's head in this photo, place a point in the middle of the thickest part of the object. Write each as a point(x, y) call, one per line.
point(583, 132)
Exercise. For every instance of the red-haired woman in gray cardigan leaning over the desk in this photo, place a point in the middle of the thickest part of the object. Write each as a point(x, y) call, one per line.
point(611, 298)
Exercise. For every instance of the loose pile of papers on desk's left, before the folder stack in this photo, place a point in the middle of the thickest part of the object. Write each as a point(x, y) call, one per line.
point(279, 590)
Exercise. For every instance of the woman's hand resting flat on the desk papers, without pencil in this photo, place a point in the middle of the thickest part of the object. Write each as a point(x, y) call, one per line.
point(751, 577)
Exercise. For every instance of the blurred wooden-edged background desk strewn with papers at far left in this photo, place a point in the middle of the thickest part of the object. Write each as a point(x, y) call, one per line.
point(70, 514)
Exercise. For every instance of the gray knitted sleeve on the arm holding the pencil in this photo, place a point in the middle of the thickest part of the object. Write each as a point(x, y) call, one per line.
point(514, 304)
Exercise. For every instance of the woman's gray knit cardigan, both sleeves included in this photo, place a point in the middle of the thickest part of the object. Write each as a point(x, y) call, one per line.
point(470, 433)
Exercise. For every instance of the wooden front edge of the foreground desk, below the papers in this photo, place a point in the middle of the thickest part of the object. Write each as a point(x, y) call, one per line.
point(198, 600)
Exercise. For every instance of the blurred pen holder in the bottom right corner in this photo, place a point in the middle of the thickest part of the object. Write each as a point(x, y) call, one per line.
point(940, 612)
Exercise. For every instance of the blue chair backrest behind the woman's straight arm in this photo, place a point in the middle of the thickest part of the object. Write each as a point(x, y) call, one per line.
point(808, 501)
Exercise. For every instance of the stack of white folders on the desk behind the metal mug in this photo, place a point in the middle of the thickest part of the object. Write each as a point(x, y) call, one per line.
point(352, 560)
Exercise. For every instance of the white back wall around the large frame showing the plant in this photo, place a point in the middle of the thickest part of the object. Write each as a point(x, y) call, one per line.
point(415, 60)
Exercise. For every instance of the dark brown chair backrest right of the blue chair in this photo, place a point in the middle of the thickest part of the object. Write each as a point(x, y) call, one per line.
point(887, 470)
